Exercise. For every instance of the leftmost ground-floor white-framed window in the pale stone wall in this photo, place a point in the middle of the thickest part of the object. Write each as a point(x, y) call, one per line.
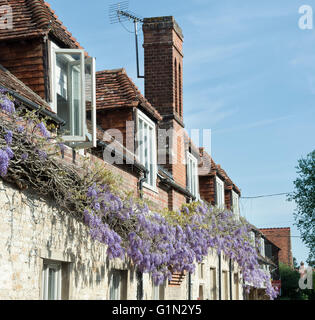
point(45, 283)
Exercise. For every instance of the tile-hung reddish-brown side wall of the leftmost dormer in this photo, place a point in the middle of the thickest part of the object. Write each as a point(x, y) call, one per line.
point(25, 60)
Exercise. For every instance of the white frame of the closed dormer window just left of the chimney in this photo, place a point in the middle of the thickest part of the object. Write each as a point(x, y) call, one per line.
point(152, 156)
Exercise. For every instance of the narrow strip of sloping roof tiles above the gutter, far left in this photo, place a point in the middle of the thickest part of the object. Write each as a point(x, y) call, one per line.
point(12, 83)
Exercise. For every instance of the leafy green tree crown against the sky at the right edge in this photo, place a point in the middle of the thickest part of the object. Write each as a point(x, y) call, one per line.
point(304, 196)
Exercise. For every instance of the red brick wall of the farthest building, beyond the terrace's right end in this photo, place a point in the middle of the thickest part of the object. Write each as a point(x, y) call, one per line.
point(281, 237)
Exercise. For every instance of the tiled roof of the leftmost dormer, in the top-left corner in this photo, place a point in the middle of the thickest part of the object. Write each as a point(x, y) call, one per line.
point(33, 18)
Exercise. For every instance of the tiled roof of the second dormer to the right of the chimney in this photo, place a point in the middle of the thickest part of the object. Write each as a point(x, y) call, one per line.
point(208, 167)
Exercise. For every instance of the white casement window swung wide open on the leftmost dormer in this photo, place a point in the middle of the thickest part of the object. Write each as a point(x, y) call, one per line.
point(73, 89)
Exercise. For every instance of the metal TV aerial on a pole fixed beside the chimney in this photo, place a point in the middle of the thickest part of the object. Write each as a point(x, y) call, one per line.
point(119, 13)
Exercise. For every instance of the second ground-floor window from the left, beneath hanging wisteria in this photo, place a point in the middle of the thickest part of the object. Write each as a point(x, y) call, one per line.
point(118, 285)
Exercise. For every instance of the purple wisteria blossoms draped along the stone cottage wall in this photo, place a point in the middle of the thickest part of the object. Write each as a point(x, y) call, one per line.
point(159, 243)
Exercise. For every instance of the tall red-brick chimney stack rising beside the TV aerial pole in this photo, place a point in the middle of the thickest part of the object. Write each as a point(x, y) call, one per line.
point(163, 64)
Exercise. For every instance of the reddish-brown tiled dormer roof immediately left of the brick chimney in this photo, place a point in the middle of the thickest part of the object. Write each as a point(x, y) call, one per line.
point(114, 89)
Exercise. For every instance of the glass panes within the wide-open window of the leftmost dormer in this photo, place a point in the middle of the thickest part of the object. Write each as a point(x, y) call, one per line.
point(68, 91)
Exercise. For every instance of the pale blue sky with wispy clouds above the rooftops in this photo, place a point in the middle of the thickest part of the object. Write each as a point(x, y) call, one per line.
point(249, 76)
